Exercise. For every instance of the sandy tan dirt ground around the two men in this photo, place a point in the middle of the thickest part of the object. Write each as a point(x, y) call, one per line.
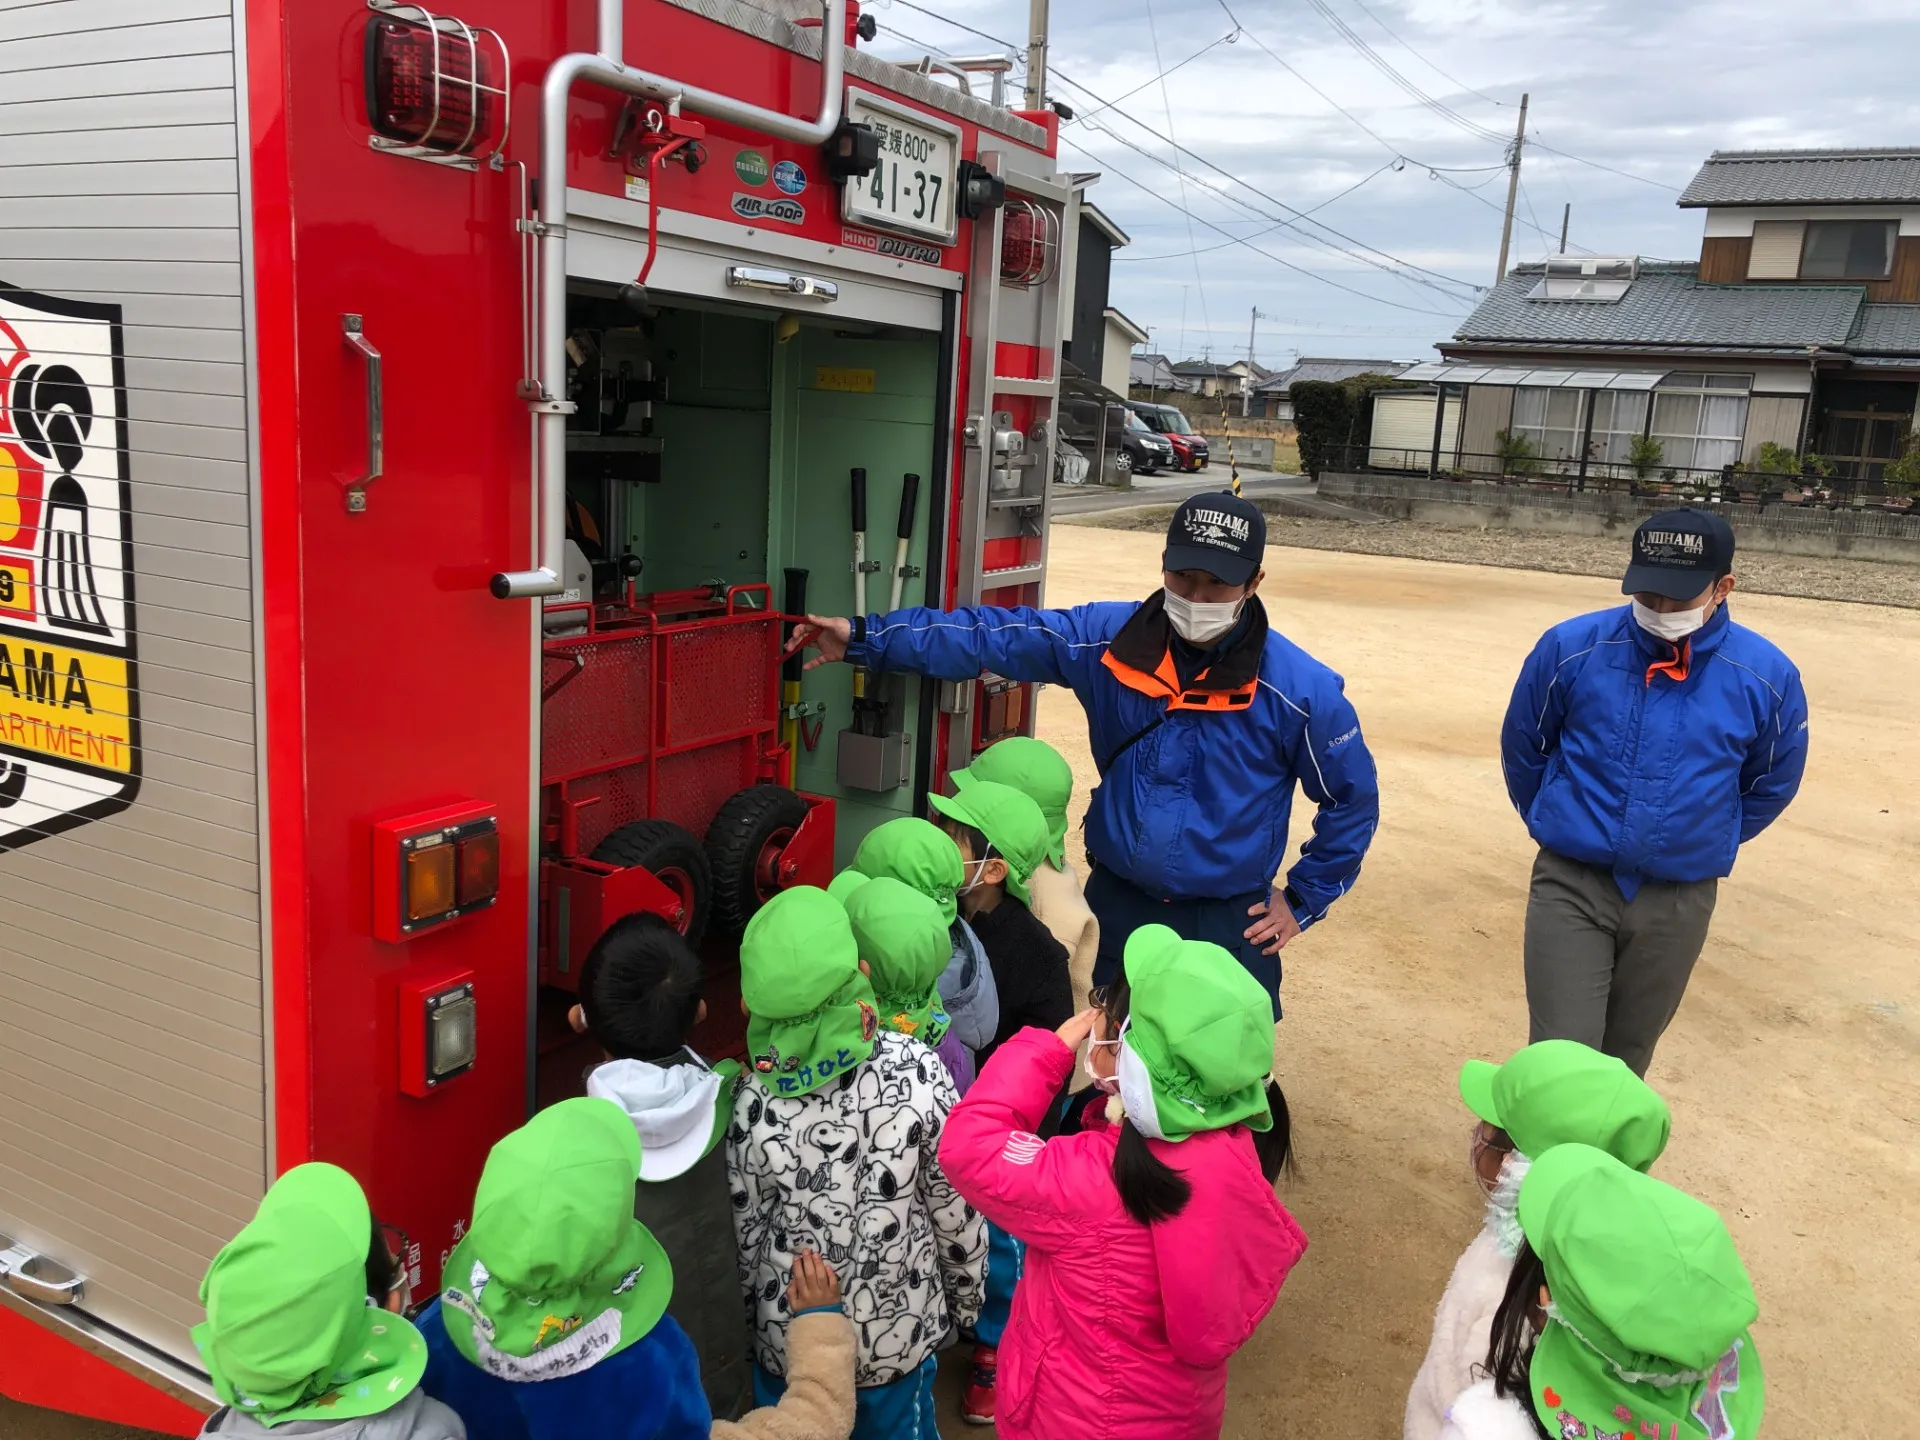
point(1792, 1068)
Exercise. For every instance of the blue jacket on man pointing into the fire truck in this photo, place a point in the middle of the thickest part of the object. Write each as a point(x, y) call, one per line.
point(1197, 807)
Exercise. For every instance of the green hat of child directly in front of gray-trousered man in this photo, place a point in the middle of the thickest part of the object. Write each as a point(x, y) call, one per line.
point(1568, 1093)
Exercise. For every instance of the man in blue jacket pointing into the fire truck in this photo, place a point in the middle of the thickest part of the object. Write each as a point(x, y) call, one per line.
point(1203, 721)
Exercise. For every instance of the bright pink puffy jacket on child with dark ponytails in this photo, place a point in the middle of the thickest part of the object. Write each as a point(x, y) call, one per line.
point(1118, 1330)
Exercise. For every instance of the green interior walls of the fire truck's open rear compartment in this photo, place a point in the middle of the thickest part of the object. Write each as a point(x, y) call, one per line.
point(759, 439)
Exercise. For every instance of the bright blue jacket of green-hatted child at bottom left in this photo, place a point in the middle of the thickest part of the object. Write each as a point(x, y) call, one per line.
point(650, 1391)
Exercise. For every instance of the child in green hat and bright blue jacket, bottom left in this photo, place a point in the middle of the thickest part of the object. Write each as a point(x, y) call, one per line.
point(554, 1316)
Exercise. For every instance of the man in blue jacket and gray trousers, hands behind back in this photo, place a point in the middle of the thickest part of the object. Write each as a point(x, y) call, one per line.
point(1644, 746)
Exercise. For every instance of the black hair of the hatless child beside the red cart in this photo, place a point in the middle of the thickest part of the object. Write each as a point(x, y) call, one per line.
point(640, 990)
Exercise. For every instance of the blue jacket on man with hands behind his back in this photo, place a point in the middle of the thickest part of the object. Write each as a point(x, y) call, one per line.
point(1616, 763)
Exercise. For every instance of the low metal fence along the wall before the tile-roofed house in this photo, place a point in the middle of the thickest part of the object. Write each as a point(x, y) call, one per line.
point(1729, 483)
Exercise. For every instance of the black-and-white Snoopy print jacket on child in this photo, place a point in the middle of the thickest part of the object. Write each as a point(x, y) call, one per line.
point(852, 1170)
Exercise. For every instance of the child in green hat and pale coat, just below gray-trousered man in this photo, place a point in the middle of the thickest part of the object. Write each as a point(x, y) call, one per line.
point(1547, 1095)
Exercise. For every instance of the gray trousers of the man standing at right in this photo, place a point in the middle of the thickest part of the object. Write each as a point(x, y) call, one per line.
point(1606, 971)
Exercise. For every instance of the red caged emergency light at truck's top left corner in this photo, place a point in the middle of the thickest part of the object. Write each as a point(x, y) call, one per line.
point(435, 89)
